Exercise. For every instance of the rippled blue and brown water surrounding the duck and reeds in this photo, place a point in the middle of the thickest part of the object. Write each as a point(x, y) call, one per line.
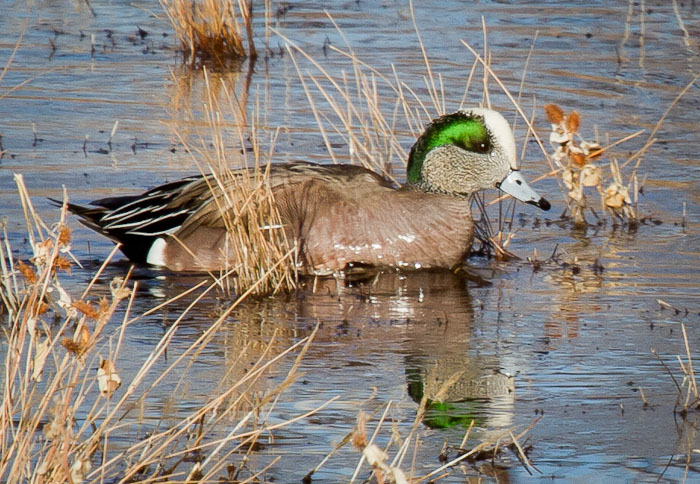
point(570, 342)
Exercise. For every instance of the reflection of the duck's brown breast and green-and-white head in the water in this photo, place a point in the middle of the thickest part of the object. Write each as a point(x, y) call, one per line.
point(439, 363)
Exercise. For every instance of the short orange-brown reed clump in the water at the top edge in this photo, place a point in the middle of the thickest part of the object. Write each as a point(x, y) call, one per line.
point(212, 29)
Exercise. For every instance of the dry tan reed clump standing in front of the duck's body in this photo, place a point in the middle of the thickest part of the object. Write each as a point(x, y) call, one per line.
point(260, 256)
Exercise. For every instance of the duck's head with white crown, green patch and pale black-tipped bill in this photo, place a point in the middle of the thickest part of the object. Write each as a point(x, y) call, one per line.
point(467, 151)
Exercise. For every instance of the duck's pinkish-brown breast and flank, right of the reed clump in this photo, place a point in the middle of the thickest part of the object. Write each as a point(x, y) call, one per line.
point(378, 225)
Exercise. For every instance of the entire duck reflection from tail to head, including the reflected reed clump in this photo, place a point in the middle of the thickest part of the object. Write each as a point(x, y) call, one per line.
point(422, 321)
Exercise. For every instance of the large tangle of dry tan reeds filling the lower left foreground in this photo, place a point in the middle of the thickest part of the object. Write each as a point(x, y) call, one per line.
point(59, 418)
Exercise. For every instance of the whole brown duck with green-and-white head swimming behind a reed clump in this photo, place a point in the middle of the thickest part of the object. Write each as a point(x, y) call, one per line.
point(337, 215)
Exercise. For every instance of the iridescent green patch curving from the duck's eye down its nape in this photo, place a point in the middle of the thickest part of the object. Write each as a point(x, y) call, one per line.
point(467, 131)
